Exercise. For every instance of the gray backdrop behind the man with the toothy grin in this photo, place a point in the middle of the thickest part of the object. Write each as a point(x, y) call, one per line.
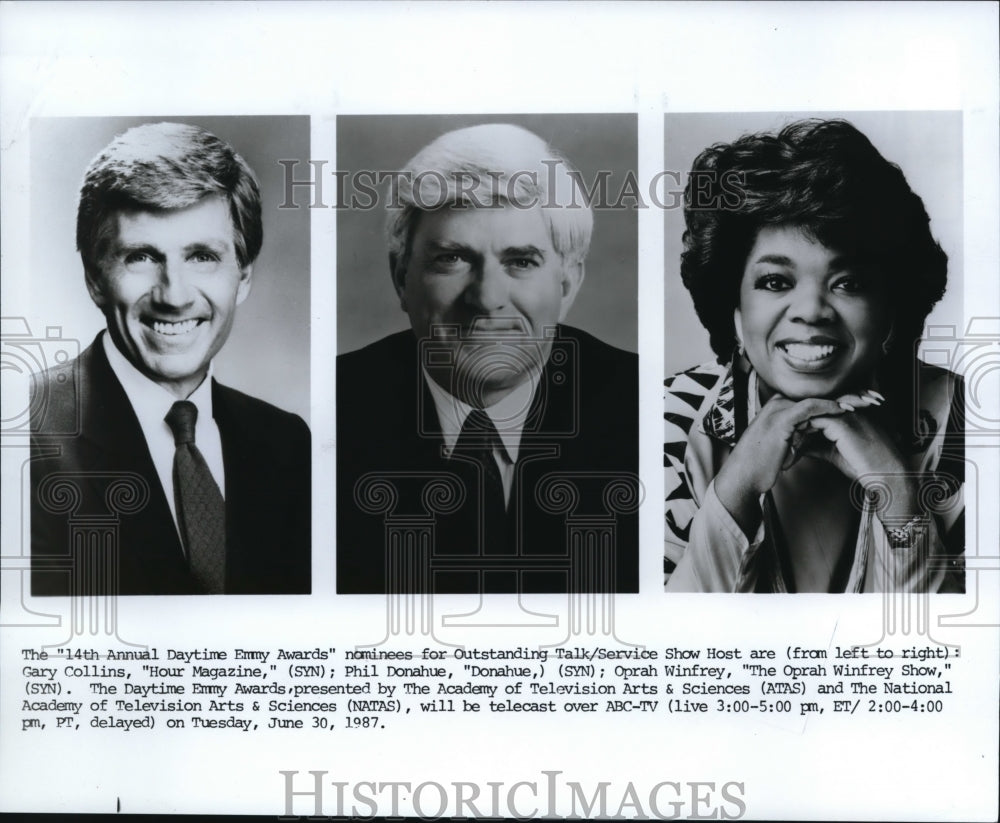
point(267, 354)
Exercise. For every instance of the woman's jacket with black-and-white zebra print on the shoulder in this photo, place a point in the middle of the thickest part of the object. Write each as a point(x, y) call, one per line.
point(705, 549)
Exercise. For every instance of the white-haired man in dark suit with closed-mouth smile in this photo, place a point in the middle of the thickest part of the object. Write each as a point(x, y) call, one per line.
point(461, 440)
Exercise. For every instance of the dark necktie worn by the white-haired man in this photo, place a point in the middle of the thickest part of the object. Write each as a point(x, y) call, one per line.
point(477, 442)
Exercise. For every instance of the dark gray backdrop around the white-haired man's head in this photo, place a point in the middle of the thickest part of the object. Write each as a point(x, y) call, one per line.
point(367, 306)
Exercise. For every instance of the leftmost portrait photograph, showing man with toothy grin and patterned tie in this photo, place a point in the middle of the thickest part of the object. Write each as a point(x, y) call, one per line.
point(157, 466)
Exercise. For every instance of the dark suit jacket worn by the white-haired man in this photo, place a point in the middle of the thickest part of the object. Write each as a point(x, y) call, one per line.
point(574, 497)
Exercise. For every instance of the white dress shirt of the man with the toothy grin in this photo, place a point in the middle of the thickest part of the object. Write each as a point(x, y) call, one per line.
point(151, 402)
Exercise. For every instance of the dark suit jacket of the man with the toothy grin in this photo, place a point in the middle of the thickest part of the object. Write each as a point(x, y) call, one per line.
point(95, 492)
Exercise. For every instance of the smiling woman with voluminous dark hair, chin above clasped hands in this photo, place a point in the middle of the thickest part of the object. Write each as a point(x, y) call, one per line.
point(818, 454)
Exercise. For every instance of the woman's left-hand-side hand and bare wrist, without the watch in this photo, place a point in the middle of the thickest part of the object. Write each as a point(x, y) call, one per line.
point(766, 448)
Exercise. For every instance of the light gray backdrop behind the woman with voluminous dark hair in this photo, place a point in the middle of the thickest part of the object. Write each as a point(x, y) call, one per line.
point(926, 145)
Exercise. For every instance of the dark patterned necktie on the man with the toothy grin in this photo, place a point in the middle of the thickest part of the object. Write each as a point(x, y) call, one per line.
point(201, 511)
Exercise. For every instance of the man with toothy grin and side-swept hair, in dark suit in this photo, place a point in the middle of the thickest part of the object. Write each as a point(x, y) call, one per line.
point(173, 483)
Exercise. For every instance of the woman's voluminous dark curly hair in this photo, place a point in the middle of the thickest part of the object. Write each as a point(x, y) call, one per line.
point(825, 177)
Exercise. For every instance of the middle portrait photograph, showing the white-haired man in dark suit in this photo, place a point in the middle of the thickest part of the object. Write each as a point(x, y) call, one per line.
point(503, 403)
